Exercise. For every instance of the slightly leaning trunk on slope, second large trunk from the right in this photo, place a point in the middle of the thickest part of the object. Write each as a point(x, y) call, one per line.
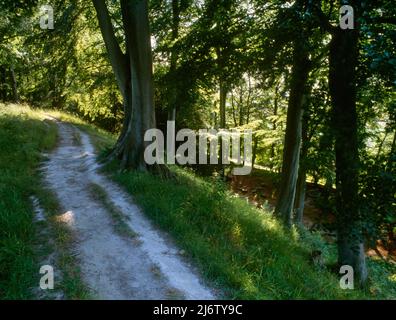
point(291, 151)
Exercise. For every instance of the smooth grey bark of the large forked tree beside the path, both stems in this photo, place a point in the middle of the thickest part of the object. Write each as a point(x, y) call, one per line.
point(133, 71)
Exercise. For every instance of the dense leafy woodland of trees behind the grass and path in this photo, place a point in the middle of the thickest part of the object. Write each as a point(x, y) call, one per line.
point(320, 99)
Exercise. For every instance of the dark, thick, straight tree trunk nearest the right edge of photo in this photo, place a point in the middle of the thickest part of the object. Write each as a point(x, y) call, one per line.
point(342, 84)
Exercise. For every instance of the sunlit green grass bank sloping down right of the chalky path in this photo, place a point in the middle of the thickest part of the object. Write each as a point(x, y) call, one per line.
point(238, 248)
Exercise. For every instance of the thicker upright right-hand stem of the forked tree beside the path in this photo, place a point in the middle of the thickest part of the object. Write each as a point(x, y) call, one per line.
point(137, 32)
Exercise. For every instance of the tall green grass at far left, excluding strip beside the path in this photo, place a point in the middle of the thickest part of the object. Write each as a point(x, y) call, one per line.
point(23, 135)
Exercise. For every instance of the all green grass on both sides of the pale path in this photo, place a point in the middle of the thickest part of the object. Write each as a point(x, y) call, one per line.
point(239, 249)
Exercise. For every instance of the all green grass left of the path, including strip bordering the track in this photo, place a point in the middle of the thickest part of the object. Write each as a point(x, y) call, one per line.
point(24, 135)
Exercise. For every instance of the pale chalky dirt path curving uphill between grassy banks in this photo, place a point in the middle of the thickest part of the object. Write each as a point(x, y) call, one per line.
point(114, 266)
